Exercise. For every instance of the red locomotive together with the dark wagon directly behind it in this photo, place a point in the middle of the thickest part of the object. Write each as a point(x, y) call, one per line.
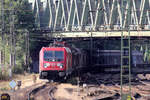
point(60, 60)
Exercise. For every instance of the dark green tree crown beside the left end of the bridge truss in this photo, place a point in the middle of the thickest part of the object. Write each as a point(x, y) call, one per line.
point(25, 15)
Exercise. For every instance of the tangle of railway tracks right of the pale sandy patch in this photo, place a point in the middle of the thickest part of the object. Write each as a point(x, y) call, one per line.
point(109, 84)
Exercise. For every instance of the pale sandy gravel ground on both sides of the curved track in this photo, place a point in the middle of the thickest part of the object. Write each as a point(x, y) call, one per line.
point(93, 87)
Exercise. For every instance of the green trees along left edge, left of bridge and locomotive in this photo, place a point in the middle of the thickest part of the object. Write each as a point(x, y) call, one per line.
point(23, 19)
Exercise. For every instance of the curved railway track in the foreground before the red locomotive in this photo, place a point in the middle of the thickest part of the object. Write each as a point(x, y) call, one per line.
point(44, 92)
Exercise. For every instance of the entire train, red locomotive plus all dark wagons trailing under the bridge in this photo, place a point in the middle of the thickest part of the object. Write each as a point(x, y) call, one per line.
point(60, 60)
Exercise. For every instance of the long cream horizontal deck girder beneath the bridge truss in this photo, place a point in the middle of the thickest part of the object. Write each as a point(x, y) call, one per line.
point(100, 34)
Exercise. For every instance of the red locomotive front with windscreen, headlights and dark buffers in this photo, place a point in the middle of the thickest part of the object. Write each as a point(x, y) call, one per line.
point(54, 62)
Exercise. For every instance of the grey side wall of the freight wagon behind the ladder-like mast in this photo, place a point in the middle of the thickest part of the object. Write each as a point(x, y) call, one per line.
point(110, 58)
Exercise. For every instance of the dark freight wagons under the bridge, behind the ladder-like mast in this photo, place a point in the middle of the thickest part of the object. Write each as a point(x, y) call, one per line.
point(110, 61)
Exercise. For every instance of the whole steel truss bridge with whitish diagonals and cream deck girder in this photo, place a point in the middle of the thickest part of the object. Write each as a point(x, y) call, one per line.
point(99, 18)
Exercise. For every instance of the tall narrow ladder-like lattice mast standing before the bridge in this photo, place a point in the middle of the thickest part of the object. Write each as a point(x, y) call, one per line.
point(125, 56)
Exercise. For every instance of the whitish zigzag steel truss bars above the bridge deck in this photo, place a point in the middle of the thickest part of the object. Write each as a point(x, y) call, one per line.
point(68, 14)
